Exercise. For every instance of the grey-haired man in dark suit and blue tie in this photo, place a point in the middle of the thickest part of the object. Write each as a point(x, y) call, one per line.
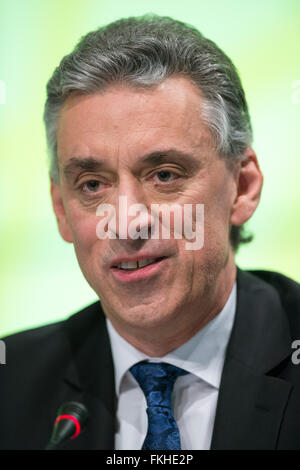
point(148, 111)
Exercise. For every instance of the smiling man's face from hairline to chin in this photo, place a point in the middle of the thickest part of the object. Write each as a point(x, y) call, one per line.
point(153, 147)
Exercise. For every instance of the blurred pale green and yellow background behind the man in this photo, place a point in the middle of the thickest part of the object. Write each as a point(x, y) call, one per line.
point(40, 280)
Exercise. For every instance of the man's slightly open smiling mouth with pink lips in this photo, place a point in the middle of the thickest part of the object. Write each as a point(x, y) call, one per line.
point(127, 271)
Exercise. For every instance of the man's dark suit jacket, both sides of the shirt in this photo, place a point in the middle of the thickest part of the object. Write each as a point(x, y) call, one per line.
point(259, 399)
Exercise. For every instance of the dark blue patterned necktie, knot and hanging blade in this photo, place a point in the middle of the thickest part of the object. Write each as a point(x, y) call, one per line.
point(157, 379)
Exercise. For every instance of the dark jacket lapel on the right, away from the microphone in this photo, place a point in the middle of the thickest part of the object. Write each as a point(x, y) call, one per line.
point(252, 399)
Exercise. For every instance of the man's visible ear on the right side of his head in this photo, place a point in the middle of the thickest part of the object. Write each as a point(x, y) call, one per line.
point(249, 185)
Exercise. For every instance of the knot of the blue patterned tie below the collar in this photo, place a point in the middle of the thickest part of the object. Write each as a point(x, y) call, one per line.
point(156, 379)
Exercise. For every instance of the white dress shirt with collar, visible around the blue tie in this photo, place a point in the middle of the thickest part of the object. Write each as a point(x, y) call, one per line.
point(195, 395)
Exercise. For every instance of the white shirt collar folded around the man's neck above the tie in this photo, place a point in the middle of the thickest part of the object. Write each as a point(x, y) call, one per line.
point(203, 355)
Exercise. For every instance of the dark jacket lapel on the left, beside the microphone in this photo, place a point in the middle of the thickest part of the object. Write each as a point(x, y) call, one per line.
point(90, 378)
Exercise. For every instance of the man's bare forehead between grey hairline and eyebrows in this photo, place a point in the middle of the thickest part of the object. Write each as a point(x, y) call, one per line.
point(125, 121)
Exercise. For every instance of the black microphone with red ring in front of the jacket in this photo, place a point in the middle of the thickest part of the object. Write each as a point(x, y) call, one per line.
point(71, 420)
